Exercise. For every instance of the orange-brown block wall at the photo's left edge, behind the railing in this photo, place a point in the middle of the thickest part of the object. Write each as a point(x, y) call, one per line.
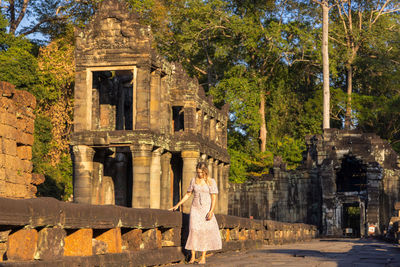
point(16, 140)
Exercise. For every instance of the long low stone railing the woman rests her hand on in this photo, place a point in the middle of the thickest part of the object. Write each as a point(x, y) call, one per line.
point(47, 232)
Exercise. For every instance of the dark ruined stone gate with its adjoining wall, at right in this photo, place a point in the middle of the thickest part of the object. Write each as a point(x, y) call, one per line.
point(348, 180)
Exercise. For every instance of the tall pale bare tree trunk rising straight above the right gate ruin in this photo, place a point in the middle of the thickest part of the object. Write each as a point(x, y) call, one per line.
point(325, 64)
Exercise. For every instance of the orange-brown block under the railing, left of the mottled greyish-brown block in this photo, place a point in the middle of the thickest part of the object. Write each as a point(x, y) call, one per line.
point(22, 245)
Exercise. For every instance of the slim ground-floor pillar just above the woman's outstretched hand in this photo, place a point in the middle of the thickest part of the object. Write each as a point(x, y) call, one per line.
point(166, 197)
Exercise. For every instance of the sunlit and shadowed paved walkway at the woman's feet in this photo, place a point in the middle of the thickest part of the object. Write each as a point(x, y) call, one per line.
point(320, 252)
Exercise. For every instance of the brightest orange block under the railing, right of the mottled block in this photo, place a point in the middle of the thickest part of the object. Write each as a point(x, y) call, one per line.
point(79, 243)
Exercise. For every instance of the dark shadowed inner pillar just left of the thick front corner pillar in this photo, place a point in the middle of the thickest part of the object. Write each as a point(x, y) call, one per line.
point(120, 179)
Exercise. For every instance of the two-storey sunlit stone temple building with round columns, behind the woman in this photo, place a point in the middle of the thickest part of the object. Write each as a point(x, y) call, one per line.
point(141, 124)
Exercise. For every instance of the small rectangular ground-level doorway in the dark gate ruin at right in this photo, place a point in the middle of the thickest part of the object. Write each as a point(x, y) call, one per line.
point(351, 219)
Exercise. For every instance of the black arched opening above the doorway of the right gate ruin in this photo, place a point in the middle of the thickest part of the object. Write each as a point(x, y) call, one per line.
point(352, 176)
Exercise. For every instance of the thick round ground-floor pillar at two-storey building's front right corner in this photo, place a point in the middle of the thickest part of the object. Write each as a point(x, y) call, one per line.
point(141, 160)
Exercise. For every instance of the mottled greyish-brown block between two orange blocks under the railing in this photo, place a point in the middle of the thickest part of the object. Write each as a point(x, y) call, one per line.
point(50, 244)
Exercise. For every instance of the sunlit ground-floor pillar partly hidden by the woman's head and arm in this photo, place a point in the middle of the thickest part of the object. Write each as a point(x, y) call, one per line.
point(190, 159)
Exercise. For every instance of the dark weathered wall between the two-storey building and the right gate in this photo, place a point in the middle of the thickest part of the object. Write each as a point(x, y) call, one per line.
point(282, 195)
